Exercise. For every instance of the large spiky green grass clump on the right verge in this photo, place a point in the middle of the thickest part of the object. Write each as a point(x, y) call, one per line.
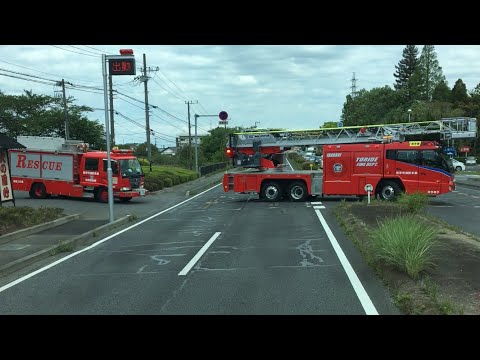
point(406, 243)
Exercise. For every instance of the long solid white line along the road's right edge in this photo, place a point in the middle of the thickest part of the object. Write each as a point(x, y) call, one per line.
point(352, 276)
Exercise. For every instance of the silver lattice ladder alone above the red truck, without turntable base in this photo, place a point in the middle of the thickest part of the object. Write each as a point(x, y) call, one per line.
point(447, 128)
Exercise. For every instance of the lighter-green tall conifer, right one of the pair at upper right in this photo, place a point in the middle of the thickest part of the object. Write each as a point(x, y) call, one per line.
point(428, 73)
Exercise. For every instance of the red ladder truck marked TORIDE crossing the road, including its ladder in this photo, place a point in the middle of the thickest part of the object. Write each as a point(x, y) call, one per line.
point(353, 157)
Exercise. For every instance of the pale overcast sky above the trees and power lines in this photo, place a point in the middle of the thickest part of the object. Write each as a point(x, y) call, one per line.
point(294, 87)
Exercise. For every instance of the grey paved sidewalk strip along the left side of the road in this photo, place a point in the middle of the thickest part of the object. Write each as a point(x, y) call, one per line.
point(30, 246)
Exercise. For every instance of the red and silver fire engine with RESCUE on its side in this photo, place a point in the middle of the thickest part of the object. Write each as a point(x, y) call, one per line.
point(55, 166)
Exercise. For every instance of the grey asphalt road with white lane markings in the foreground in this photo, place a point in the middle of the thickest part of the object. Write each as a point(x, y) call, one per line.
point(218, 253)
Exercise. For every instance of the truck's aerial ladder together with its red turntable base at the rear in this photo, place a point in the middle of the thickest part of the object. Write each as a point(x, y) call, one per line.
point(263, 149)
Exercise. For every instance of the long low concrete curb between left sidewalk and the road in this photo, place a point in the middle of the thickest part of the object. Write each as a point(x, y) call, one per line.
point(75, 241)
